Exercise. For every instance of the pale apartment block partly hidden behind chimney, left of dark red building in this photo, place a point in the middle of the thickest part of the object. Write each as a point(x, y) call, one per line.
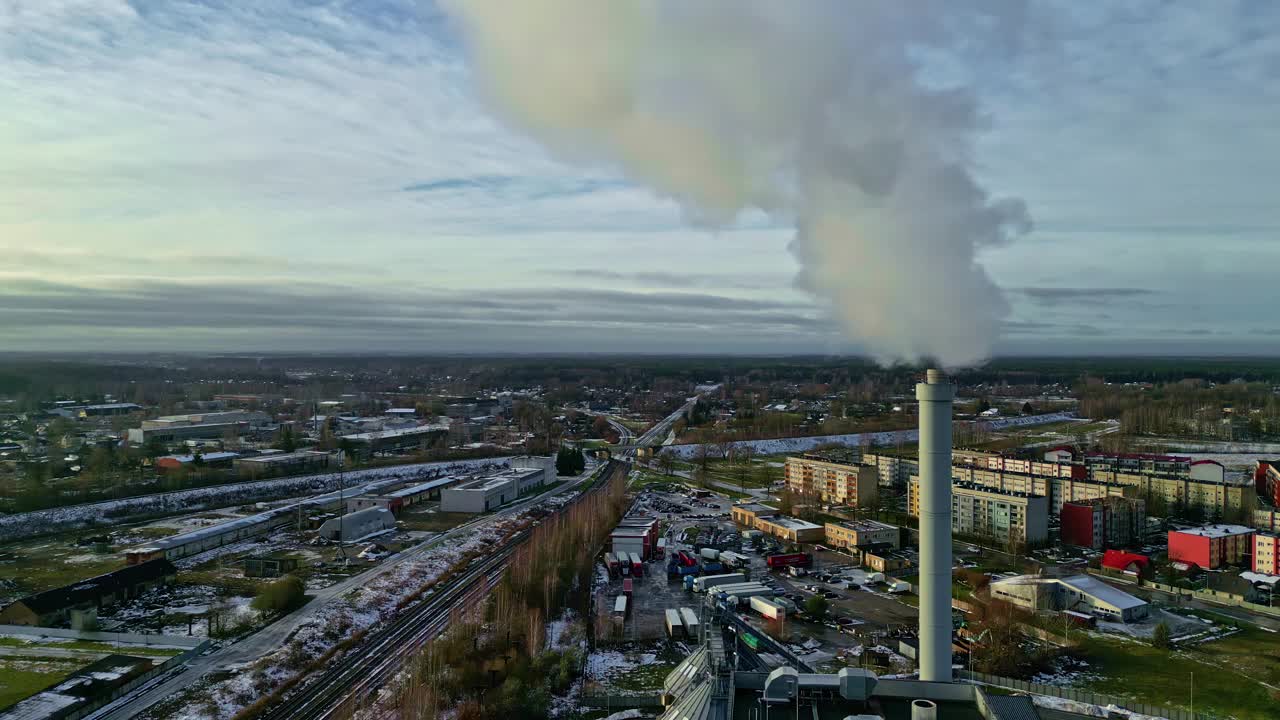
point(1003, 516)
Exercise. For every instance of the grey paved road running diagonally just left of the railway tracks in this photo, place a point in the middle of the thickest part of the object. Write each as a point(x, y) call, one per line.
point(273, 636)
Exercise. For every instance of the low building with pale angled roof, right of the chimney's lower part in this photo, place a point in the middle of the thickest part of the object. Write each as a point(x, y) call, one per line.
point(1077, 594)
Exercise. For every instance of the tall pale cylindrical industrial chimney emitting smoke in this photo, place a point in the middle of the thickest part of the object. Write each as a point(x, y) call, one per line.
point(935, 397)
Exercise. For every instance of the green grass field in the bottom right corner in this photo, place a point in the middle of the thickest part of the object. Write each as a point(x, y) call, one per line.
point(1232, 676)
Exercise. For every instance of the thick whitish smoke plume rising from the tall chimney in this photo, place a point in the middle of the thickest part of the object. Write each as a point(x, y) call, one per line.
point(815, 112)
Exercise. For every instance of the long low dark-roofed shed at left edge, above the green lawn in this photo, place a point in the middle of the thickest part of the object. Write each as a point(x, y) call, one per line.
point(56, 608)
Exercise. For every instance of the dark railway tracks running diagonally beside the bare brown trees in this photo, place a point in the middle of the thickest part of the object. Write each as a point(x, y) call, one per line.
point(360, 672)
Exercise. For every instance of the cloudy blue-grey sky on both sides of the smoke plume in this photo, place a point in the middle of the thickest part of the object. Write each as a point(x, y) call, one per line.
point(328, 176)
